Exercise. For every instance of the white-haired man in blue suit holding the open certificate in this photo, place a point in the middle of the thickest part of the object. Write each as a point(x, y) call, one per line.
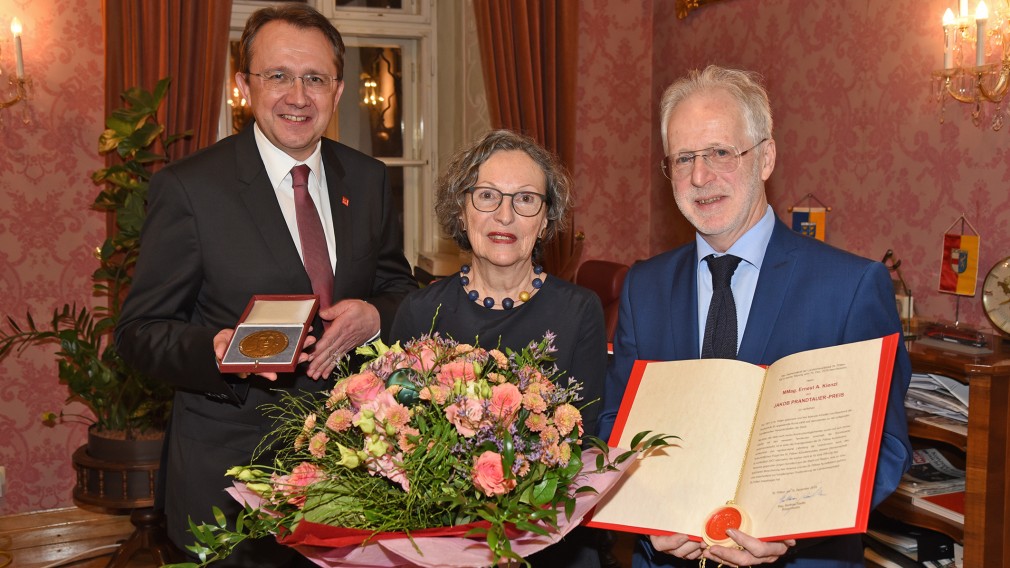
point(790, 294)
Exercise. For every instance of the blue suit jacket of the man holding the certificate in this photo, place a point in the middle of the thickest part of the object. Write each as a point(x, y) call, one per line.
point(810, 296)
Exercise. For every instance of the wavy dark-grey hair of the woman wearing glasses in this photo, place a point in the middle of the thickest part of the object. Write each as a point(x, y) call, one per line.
point(462, 173)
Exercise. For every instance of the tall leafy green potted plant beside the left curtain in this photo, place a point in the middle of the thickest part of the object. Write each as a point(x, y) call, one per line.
point(126, 405)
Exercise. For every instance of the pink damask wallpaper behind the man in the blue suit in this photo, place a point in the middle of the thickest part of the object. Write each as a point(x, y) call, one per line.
point(856, 127)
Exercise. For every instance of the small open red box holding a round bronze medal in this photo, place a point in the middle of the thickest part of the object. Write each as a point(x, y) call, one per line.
point(270, 335)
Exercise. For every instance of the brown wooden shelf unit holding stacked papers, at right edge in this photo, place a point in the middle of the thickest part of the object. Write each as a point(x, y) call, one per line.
point(987, 511)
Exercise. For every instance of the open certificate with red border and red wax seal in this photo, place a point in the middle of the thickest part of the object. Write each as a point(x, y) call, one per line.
point(792, 448)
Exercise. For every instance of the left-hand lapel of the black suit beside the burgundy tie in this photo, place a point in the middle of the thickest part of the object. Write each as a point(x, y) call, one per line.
point(258, 196)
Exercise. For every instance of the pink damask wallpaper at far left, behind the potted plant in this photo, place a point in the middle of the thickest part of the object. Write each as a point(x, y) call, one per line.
point(47, 231)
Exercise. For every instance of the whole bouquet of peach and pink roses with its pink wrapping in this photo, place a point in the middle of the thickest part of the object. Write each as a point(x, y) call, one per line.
point(477, 448)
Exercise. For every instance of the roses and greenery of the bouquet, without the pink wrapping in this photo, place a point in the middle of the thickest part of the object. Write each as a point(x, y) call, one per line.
point(328, 483)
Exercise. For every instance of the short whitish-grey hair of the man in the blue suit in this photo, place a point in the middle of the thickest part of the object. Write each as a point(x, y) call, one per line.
point(745, 86)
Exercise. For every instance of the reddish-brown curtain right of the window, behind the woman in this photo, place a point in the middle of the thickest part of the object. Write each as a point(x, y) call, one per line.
point(530, 55)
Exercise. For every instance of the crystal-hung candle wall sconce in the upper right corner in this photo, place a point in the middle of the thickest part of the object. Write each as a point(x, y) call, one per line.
point(972, 80)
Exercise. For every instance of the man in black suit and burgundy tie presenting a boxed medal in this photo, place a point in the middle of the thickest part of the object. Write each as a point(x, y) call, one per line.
point(224, 226)
